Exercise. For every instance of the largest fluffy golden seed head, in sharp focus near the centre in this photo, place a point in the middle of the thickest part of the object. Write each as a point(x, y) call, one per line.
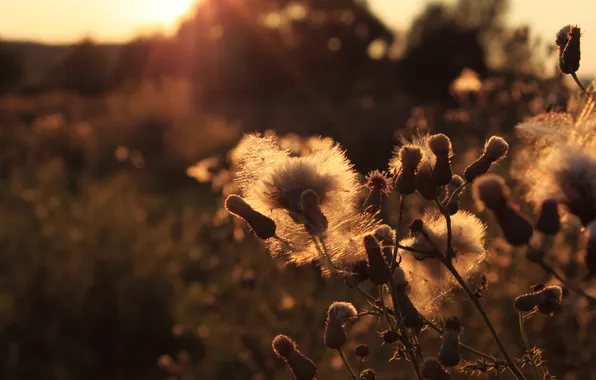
point(272, 182)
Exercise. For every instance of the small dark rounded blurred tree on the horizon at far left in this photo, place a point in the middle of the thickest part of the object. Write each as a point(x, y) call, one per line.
point(84, 70)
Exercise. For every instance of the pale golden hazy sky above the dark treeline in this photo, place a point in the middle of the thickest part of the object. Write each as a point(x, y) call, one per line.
point(117, 20)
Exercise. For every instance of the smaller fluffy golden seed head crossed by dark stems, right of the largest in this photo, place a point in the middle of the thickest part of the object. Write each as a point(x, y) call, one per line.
point(430, 280)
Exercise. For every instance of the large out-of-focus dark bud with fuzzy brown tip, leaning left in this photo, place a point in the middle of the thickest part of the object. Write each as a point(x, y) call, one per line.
point(491, 191)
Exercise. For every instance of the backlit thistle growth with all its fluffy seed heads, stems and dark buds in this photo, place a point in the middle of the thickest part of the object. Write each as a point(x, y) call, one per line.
point(308, 208)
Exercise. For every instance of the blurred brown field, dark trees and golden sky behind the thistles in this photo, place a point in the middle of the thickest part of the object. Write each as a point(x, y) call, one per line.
point(117, 261)
